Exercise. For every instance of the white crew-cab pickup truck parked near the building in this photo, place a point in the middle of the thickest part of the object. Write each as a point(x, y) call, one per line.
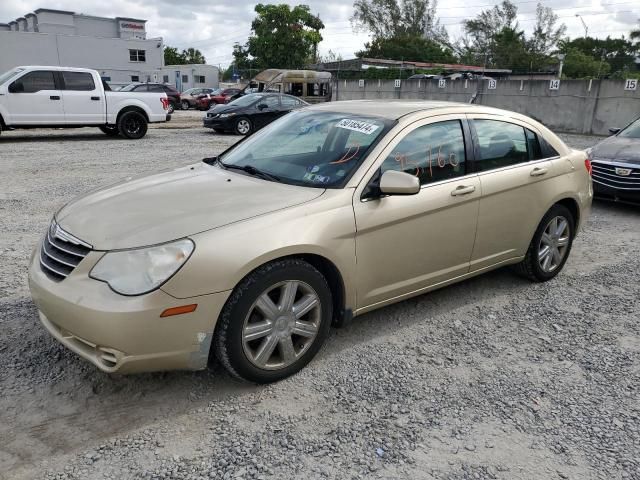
point(61, 97)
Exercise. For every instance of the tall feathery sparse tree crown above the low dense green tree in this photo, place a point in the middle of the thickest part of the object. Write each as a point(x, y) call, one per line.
point(399, 18)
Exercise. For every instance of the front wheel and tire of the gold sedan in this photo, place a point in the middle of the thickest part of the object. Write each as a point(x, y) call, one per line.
point(241, 316)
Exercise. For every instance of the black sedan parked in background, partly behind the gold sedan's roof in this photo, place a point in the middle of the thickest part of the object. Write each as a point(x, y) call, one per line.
point(250, 112)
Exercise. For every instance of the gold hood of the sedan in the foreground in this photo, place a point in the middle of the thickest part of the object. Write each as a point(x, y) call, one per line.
point(174, 204)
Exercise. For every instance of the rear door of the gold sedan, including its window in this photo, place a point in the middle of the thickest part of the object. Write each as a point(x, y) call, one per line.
point(516, 180)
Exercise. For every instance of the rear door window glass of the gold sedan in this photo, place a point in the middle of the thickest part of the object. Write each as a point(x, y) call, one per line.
point(501, 144)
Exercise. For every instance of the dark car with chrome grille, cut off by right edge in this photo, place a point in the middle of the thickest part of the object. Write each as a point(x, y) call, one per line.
point(616, 165)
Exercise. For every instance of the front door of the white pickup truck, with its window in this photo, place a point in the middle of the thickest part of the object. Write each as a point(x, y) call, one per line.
point(35, 99)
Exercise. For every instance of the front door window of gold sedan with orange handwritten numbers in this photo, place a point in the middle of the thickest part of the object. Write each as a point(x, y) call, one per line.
point(432, 152)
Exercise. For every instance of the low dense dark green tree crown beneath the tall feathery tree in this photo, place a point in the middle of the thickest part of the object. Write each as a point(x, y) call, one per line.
point(408, 47)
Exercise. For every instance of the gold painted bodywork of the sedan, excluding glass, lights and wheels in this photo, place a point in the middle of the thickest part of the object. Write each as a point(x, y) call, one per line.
point(385, 249)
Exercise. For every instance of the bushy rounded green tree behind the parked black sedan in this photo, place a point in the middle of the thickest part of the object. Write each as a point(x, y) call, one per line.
point(282, 37)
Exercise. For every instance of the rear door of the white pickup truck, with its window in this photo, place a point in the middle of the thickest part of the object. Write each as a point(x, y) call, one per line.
point(83, 99)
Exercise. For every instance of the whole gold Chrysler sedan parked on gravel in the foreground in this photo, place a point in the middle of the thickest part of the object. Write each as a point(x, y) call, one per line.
point(330, 212)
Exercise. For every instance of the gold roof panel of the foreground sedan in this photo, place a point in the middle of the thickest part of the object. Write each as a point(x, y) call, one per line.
point(395, 109)
